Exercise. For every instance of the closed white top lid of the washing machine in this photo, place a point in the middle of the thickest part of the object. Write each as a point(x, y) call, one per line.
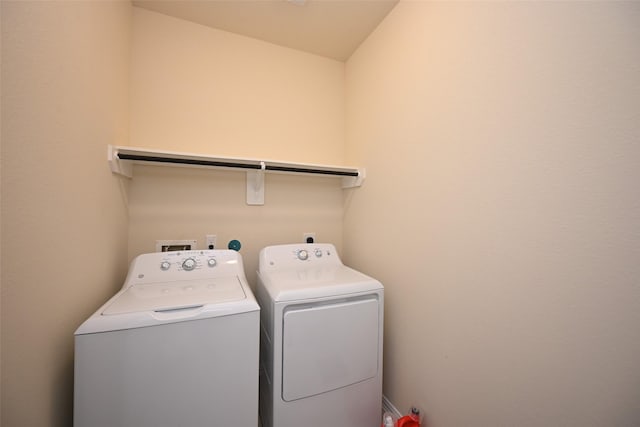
point(168, 296)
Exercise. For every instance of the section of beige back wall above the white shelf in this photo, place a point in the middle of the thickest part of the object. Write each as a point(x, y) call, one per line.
point(197, 89)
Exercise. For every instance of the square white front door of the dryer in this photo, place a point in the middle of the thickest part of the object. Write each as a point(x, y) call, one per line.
point(328, 346)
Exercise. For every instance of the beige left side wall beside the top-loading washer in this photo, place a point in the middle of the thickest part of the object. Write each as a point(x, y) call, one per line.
point(64, 98)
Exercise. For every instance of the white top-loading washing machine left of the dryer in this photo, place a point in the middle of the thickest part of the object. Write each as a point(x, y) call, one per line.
point(176, 346)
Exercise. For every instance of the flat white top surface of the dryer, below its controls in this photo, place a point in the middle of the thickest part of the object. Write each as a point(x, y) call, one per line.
point(317, 282)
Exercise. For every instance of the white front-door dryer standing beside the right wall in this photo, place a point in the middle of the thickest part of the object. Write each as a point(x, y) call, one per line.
point(321, 339)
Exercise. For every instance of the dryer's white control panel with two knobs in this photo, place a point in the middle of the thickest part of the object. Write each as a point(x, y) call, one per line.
point(298, 256)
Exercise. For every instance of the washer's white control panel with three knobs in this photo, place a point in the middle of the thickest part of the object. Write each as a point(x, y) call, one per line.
point(184, 265)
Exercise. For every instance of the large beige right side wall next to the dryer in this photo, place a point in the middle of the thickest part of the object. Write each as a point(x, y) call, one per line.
point(501, 208)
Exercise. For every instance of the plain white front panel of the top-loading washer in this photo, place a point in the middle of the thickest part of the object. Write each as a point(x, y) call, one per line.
point(197, 373)
